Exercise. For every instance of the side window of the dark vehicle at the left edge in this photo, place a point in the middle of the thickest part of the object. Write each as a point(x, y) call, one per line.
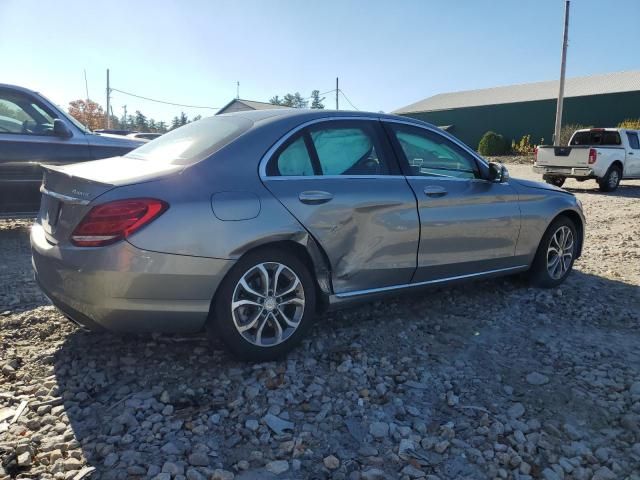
point(20, 115)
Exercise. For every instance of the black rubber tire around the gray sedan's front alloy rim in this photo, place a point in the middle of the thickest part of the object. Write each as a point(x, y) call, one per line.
point(539, 273)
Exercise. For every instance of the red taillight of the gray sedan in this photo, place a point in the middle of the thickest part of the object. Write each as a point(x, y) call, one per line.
point(113, 221)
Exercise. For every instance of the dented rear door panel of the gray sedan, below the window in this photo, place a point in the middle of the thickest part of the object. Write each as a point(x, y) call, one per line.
point(369, 229)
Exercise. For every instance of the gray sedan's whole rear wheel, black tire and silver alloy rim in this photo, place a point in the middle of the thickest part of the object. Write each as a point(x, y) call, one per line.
point(264, 306)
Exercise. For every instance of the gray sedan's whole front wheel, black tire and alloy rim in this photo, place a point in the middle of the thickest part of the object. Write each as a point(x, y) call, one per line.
point(556, 253)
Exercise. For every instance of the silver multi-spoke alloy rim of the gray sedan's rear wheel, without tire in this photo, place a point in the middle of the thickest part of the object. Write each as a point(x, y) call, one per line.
point(268, 304)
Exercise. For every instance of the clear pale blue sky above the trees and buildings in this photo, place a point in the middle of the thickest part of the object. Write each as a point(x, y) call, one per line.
point(387, 53)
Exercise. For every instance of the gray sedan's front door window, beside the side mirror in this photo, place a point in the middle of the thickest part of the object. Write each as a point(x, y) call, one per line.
point(430, 154)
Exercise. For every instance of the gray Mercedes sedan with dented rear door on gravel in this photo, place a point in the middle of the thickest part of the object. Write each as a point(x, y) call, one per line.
point(249, 224)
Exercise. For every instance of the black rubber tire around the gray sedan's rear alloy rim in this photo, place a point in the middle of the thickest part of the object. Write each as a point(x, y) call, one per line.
point(221, 322)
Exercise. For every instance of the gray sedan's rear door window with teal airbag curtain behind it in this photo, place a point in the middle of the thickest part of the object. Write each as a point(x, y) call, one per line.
point(348, 150)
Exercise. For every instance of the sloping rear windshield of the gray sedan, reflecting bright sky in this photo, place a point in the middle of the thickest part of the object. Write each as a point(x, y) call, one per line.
point(193, 142)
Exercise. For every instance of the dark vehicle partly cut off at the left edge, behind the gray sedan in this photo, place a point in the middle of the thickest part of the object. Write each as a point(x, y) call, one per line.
point(34, 131)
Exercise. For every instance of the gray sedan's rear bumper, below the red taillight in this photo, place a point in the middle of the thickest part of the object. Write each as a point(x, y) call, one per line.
point(125, 289)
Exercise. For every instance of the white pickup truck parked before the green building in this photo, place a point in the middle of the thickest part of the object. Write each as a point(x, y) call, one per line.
point(606, 155)
